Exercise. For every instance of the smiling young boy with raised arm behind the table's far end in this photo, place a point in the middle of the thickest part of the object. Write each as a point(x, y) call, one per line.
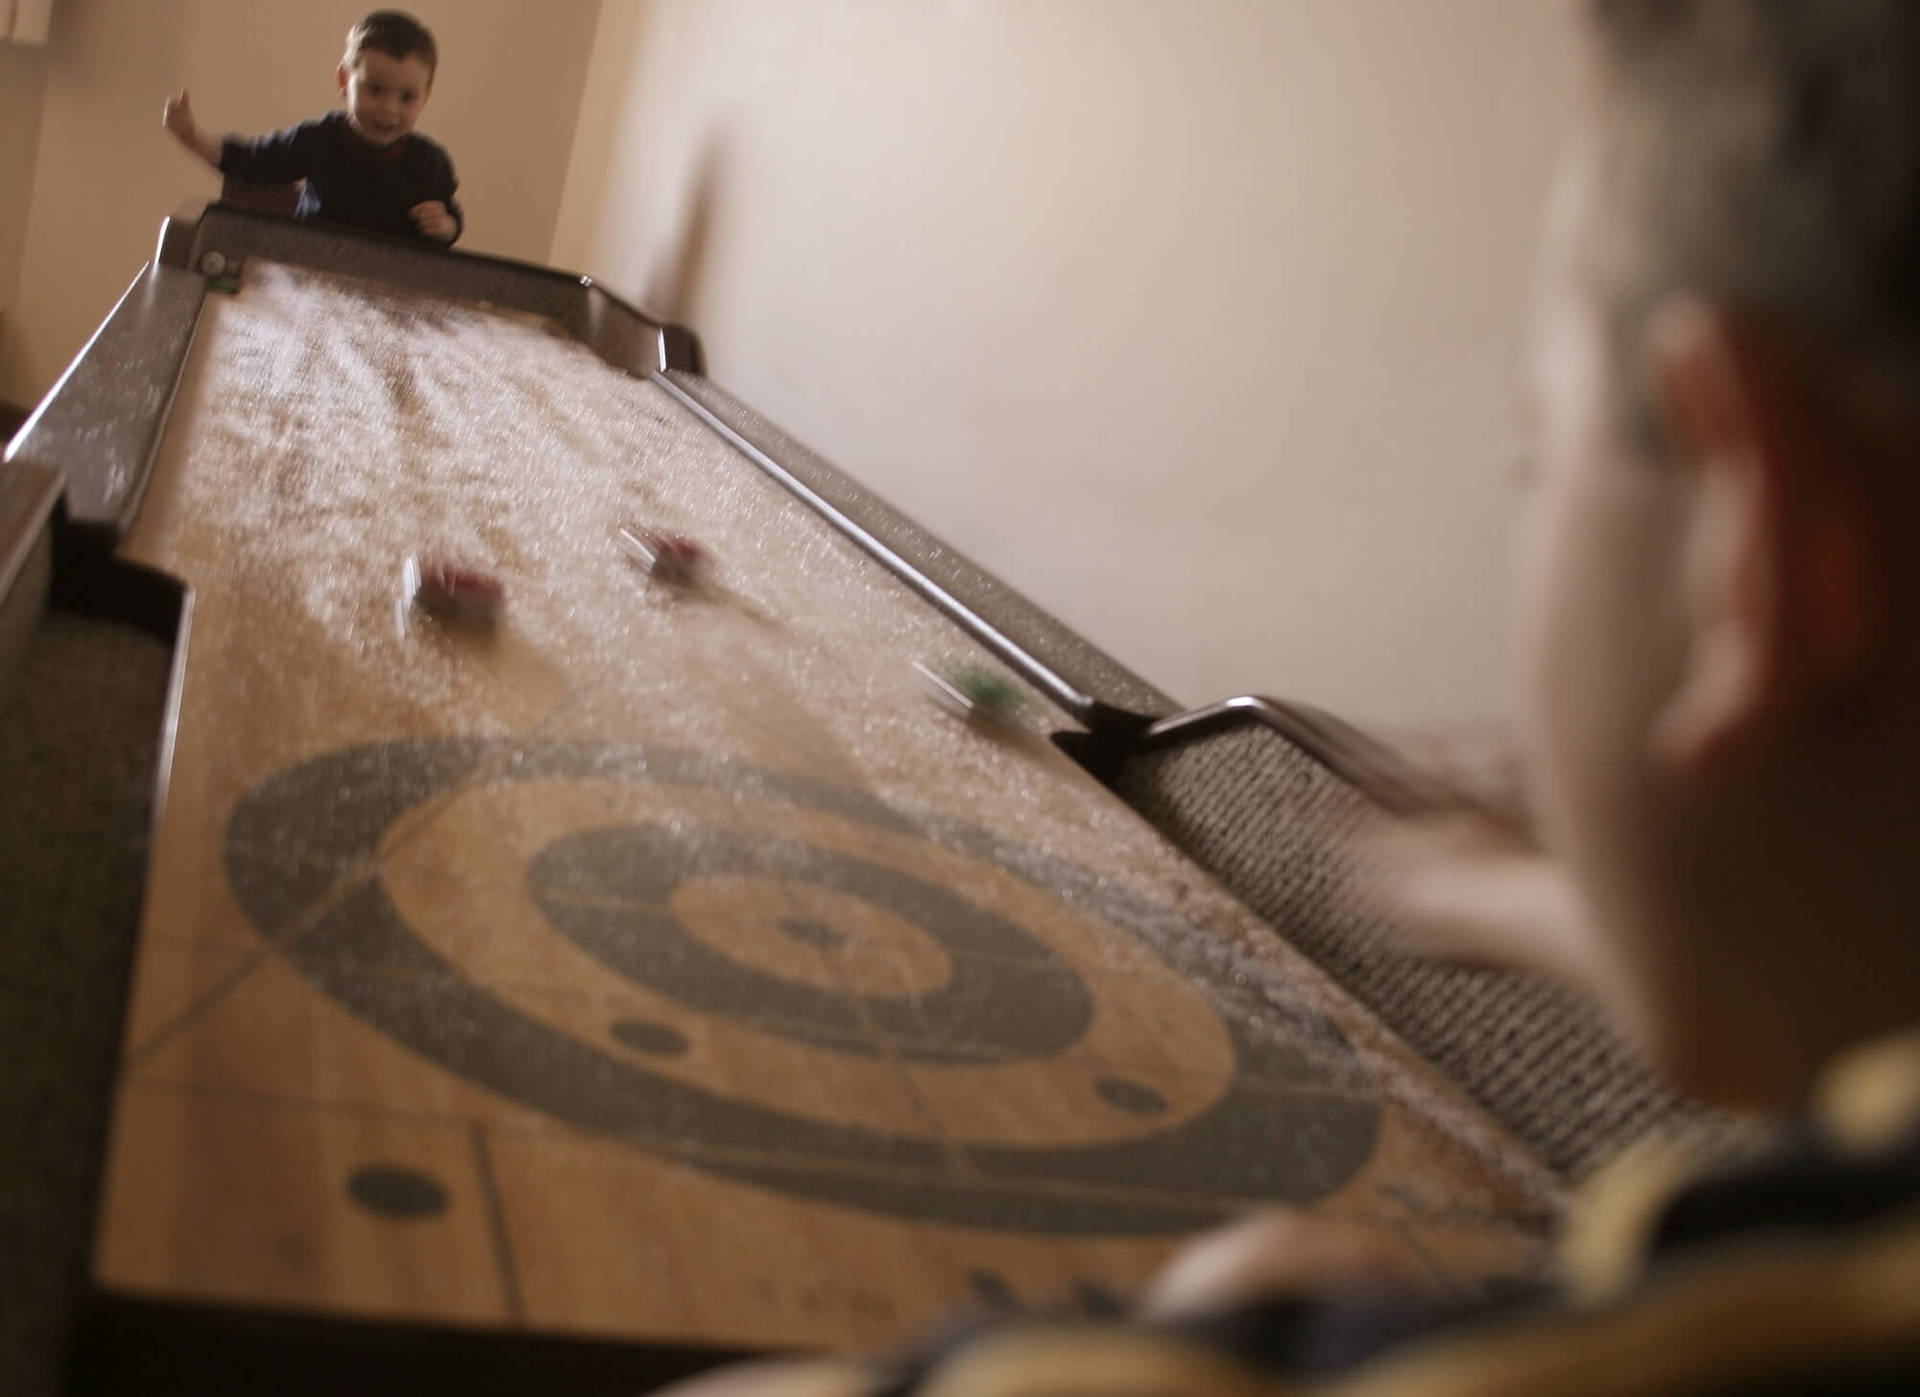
point(364, 166)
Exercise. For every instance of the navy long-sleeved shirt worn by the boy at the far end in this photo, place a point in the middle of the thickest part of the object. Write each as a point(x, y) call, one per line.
point(348, 178)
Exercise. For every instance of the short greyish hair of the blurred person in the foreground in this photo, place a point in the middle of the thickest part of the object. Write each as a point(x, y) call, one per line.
point(1764, 154)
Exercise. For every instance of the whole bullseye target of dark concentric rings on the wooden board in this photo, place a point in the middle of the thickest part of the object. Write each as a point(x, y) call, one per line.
point(633, 897)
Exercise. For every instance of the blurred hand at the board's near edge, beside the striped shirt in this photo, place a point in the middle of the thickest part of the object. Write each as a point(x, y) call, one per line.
point(1282, 1254)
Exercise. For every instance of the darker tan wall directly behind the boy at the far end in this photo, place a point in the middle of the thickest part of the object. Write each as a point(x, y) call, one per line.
point(107, 174)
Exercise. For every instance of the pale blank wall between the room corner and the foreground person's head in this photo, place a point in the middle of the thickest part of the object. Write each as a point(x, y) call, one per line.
point(1191, 320)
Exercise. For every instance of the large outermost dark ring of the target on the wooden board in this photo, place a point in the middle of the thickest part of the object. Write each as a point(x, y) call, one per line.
point(293, 838)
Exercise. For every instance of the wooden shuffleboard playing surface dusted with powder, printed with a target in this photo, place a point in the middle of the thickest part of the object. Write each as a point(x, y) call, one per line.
point(661, 966)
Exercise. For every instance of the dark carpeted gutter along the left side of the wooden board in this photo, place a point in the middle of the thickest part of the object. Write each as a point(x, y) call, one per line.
point(80, 734)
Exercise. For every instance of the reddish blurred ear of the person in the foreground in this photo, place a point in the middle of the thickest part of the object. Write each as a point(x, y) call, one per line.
point(1781, 571)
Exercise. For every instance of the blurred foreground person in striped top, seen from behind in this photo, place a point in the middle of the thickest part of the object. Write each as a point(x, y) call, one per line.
point(1721, 636)
